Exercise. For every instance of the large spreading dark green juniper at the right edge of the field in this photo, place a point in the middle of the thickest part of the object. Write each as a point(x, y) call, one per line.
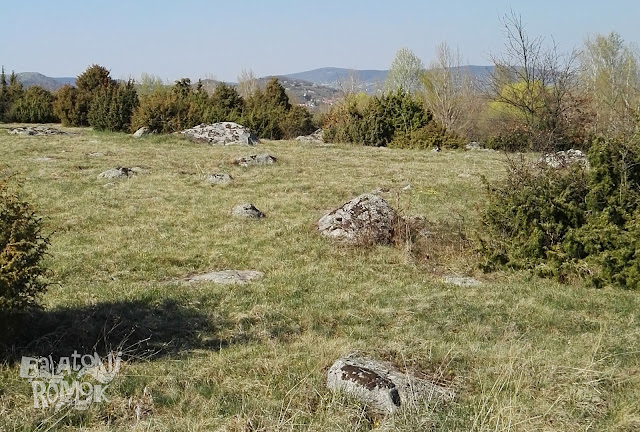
point(571, 222)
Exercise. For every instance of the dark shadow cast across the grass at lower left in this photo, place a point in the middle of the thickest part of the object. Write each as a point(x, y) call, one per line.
point(142, 330)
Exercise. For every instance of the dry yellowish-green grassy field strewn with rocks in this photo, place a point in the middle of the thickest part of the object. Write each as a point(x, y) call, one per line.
point(522, 353)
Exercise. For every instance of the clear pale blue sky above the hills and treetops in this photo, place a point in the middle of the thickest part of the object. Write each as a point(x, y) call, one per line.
point(218, 39)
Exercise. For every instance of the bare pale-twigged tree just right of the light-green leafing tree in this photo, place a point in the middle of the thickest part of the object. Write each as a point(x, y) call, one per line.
point(450, 92)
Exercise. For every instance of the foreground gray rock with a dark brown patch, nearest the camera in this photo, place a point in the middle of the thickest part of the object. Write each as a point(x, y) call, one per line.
point(382, 387)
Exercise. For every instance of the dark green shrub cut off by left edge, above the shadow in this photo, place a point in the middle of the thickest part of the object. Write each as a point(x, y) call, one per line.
point(22, 247)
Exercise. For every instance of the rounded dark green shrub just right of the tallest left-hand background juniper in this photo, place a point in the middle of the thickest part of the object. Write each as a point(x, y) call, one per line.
point(112, 107)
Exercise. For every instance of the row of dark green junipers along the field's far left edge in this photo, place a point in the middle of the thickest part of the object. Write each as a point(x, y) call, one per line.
point(103, 103)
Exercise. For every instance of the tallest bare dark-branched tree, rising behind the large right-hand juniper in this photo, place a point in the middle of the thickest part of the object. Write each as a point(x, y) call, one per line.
point(536, 82)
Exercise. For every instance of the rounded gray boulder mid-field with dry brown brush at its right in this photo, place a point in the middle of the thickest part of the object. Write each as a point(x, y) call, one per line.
point(367, 218)
